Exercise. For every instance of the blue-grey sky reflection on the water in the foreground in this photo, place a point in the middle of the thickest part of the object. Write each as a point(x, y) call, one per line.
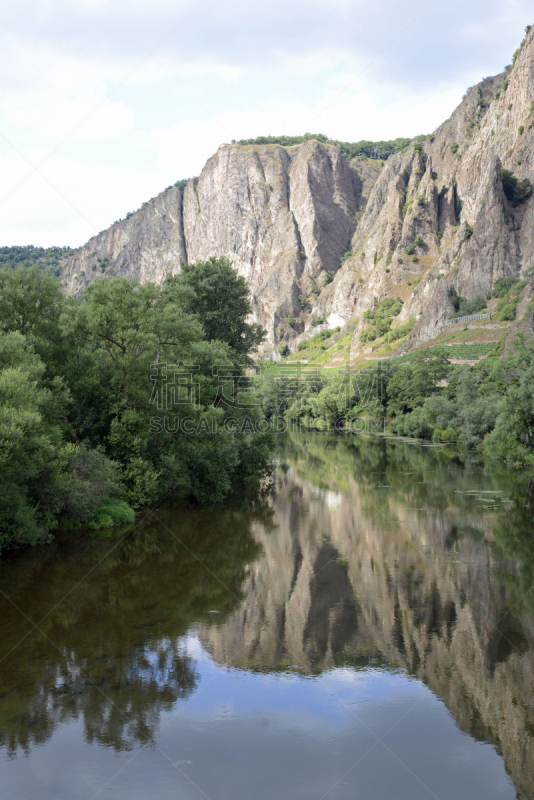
point(246, 735)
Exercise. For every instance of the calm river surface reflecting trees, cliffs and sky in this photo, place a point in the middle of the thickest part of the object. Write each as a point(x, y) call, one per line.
point(364, 630)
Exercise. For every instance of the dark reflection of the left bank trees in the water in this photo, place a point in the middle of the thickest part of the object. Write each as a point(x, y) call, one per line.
point(111, 651)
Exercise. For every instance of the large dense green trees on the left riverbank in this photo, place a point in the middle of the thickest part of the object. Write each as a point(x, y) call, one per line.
point(112, 400)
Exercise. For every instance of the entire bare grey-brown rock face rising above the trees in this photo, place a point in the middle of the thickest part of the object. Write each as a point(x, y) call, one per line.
point(286, 216)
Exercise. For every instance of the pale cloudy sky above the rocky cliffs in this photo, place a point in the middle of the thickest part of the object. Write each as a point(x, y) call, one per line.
point(107, 102)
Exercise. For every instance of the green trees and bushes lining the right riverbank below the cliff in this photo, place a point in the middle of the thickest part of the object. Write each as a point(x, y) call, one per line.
point(489, 405)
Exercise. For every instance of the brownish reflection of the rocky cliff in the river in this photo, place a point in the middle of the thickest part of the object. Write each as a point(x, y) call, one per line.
point(356, 572)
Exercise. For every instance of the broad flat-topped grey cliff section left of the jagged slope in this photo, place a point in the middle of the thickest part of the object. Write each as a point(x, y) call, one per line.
point(284, 216)
